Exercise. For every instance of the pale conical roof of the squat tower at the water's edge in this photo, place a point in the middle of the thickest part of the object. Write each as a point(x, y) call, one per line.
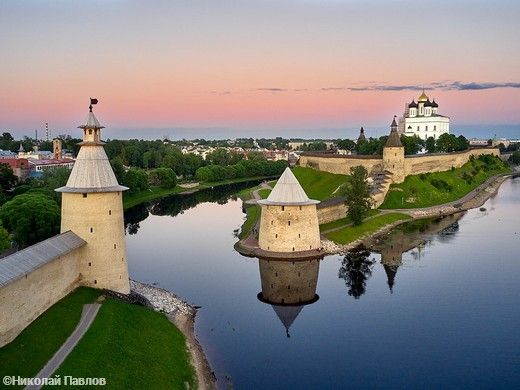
point(288, 191)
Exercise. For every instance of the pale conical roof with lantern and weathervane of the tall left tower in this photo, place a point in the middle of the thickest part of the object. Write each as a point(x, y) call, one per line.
point(92, 171)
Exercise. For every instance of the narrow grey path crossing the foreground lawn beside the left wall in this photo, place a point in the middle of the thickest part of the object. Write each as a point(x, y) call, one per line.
point(87, 317)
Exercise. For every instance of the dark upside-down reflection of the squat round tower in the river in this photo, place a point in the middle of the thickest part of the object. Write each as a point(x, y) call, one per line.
point(288, 286)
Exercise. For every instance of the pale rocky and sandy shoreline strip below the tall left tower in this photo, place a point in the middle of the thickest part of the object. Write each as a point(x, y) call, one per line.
point(182, 315)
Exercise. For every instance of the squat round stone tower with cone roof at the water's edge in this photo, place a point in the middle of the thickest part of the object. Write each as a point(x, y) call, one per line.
point(289, 219)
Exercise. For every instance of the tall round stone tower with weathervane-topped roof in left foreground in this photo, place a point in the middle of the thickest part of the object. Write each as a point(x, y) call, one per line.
point(92, 207)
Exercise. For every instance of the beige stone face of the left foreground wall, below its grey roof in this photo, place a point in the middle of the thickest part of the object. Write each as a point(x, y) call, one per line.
point(24, 299)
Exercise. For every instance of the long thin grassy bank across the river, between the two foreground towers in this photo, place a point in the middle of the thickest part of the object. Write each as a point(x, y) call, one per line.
point(153, 193)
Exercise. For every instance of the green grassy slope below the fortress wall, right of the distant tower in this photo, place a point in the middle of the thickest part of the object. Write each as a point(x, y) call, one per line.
point(441, 187)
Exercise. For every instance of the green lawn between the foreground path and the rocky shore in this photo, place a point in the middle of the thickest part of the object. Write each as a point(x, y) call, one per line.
point(133, 347)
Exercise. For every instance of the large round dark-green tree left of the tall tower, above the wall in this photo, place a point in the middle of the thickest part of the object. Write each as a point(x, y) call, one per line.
point(31, 217)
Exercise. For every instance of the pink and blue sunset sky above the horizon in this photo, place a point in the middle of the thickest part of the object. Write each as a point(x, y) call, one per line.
point(255, 66)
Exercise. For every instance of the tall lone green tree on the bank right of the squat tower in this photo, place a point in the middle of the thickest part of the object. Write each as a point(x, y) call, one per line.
point(357, 192)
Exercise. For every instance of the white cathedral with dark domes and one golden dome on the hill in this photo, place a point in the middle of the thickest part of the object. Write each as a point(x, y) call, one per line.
point(423, 120)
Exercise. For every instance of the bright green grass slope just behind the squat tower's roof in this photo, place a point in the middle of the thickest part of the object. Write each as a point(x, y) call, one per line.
point(318, 184)
